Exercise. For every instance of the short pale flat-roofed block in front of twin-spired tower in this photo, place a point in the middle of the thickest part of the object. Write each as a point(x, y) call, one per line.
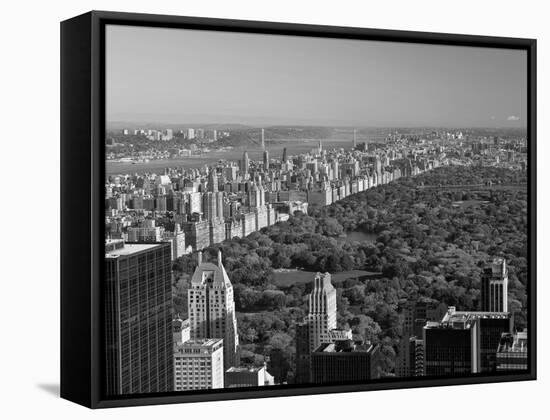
point(198, 364)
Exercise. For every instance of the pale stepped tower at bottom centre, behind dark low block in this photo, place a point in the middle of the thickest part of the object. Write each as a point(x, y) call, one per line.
point(322, 310)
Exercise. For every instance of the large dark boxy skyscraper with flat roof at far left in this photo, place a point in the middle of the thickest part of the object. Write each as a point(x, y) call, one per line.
point(138, 320)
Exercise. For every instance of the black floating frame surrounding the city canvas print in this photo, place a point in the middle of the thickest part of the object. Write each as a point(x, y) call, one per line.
point(82, 205)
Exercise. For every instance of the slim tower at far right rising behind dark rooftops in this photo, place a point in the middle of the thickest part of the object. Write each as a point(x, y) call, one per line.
point(494, 287)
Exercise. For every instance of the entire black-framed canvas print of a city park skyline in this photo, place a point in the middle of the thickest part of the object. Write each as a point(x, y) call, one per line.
point(255, 209)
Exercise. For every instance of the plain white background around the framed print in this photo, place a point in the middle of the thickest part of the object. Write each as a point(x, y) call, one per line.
point(29, 97)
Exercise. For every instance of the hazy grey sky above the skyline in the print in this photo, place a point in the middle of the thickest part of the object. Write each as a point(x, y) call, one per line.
point(190, 76)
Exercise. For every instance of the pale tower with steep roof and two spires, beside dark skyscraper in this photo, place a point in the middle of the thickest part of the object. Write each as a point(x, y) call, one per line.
point(212, 308)
